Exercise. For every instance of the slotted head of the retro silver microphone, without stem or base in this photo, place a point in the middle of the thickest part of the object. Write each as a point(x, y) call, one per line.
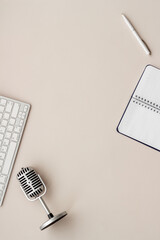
point(31, 183)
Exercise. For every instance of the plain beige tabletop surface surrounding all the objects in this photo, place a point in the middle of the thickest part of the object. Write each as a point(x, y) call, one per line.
point(77, 64)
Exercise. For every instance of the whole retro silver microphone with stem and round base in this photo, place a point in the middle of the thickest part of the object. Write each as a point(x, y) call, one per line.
point(34, 188)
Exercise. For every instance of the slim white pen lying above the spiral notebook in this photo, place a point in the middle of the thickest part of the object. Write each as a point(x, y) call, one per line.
point(139, 39)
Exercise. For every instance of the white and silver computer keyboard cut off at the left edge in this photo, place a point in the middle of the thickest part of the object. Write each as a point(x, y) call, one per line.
point(13, 116)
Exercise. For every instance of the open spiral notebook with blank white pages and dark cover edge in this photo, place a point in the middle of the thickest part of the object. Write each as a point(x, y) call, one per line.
point(141, 118)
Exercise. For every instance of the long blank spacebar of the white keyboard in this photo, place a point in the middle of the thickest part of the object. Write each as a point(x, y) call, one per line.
point(9, 157)
